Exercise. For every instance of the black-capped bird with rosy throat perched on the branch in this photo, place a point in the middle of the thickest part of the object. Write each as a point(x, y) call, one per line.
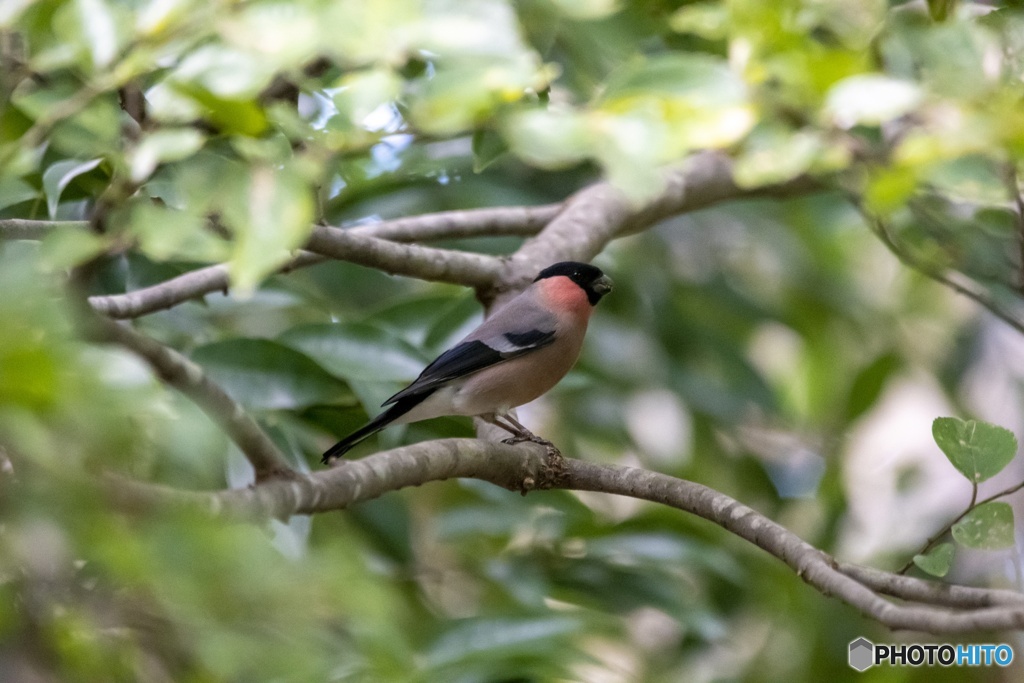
point(516, 356)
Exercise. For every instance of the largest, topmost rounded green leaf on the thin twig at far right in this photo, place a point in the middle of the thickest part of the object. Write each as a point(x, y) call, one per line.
point(978, 450)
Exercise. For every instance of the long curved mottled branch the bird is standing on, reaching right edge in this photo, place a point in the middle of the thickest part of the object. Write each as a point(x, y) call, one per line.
point(524, 467)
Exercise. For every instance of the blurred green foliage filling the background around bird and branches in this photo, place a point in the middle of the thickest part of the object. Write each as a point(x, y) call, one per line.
point(742, 349)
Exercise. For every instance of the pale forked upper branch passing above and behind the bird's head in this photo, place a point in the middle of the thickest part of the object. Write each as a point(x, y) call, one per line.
point(576, 231)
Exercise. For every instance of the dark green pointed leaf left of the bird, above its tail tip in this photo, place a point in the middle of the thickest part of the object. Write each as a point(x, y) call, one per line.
point(265, 375)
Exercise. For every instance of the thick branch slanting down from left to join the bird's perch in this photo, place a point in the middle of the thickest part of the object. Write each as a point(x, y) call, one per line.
point(181, 373)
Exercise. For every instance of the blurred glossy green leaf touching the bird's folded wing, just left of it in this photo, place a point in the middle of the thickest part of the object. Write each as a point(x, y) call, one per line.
point(357, 351)
